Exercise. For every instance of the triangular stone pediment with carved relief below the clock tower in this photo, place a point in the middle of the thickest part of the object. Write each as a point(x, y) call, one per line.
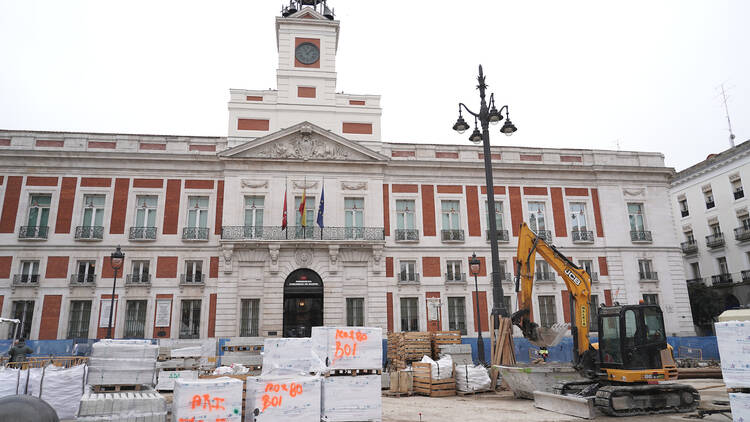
point(303, 141)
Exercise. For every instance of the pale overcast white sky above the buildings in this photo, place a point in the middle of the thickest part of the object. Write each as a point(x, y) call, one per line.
point(577, 74)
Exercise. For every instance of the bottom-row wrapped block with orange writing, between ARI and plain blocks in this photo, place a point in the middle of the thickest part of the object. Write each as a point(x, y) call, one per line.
point(283, 399)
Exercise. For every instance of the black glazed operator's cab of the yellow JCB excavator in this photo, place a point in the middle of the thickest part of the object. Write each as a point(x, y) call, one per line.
point(631, 337)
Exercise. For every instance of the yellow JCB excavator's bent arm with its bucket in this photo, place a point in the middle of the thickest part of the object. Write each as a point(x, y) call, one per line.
point(576, 279)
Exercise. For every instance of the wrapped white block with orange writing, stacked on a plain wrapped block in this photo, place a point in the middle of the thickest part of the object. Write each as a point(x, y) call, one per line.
point(349, 347)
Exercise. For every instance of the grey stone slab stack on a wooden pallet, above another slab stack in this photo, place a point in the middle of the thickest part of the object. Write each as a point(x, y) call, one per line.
point(122, 362)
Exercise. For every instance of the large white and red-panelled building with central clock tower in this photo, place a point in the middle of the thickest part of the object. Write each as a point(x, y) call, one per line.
point(200, 220)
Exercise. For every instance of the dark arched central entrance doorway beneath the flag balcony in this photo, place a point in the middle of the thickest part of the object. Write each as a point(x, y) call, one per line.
point(303, 303)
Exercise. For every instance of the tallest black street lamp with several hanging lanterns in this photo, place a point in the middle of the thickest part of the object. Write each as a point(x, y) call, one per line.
point(488, 113)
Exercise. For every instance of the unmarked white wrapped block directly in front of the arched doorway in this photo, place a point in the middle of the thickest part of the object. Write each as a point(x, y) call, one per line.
point(290, 356)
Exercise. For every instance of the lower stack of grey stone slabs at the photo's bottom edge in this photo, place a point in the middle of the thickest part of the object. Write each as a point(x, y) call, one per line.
point(145, 406)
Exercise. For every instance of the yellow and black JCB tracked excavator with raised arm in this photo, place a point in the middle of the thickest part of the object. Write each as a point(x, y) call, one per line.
point(627, 368)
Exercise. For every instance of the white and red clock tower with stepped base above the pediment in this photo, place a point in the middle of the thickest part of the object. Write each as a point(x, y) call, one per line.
point(307, 37)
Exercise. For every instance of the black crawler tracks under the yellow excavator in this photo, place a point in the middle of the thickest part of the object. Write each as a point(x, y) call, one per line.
point(649, 399)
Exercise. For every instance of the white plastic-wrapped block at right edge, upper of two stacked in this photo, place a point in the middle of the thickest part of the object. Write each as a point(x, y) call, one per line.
point(733, 338)
